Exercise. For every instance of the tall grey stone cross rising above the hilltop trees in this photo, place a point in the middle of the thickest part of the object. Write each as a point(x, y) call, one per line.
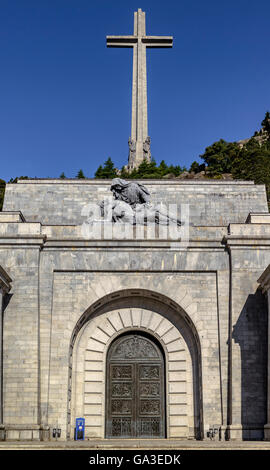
point(139, 142)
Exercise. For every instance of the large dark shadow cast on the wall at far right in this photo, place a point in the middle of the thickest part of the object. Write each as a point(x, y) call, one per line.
point(250, 332)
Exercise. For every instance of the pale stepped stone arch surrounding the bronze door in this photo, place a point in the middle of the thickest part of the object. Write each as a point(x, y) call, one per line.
point(137, 310)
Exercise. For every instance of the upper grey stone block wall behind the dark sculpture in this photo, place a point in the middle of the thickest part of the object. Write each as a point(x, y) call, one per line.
point(211, 203)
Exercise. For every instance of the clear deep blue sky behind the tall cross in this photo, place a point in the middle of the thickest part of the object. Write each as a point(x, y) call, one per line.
point(65, 99)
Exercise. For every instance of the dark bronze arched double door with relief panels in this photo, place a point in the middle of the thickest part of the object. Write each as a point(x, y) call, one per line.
point(135, 389)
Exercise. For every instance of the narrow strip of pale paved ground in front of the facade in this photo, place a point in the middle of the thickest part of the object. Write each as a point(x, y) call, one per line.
point(133, 444)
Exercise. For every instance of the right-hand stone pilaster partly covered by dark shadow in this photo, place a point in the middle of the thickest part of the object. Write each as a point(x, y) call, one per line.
point(247, 329)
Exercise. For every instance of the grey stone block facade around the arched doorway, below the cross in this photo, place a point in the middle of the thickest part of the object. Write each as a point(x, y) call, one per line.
point(72, 296)
